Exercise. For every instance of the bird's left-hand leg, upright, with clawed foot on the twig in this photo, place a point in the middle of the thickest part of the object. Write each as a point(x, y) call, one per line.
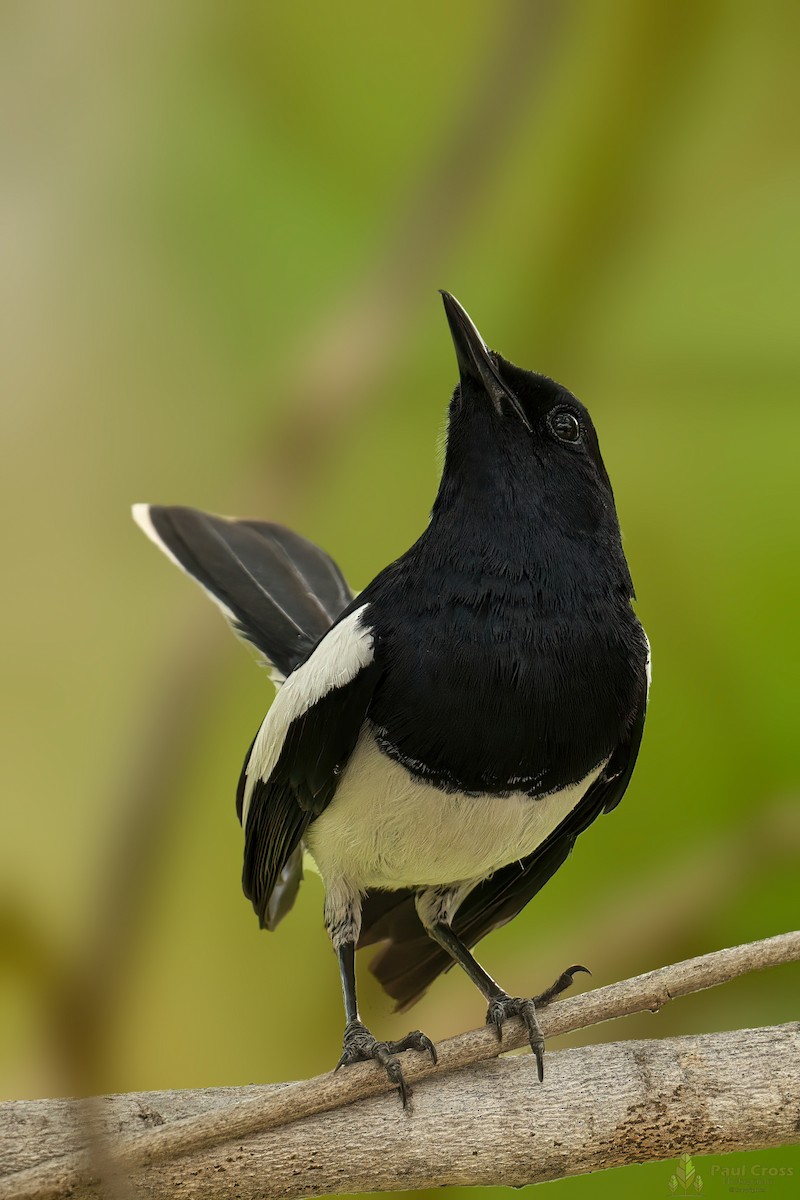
point(344, 922)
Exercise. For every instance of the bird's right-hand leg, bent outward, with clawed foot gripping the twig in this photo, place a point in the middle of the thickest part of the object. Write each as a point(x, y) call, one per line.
point(437, 907)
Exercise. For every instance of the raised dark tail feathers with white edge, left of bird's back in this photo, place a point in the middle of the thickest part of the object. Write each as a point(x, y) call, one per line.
point(278, 590)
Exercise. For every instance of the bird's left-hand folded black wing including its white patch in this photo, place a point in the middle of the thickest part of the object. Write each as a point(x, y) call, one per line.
point(299, 754)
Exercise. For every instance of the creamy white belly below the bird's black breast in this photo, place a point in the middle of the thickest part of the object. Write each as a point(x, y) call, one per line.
point(387, 830)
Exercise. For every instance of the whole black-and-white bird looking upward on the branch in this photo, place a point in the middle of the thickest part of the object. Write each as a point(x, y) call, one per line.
point(438, 741)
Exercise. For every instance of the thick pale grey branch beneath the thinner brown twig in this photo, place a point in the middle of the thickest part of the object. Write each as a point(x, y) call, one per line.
point(491, 1124)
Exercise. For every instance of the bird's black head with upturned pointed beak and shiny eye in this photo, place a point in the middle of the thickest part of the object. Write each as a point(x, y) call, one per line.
point(520, 445)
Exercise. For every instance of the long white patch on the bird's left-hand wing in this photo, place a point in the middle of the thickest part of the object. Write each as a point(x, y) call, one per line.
point(336, 662)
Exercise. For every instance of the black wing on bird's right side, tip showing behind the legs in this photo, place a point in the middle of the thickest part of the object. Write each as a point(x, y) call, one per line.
point(411, 961)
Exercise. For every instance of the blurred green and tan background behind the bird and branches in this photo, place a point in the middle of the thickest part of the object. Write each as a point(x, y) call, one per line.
point(224, 231)
